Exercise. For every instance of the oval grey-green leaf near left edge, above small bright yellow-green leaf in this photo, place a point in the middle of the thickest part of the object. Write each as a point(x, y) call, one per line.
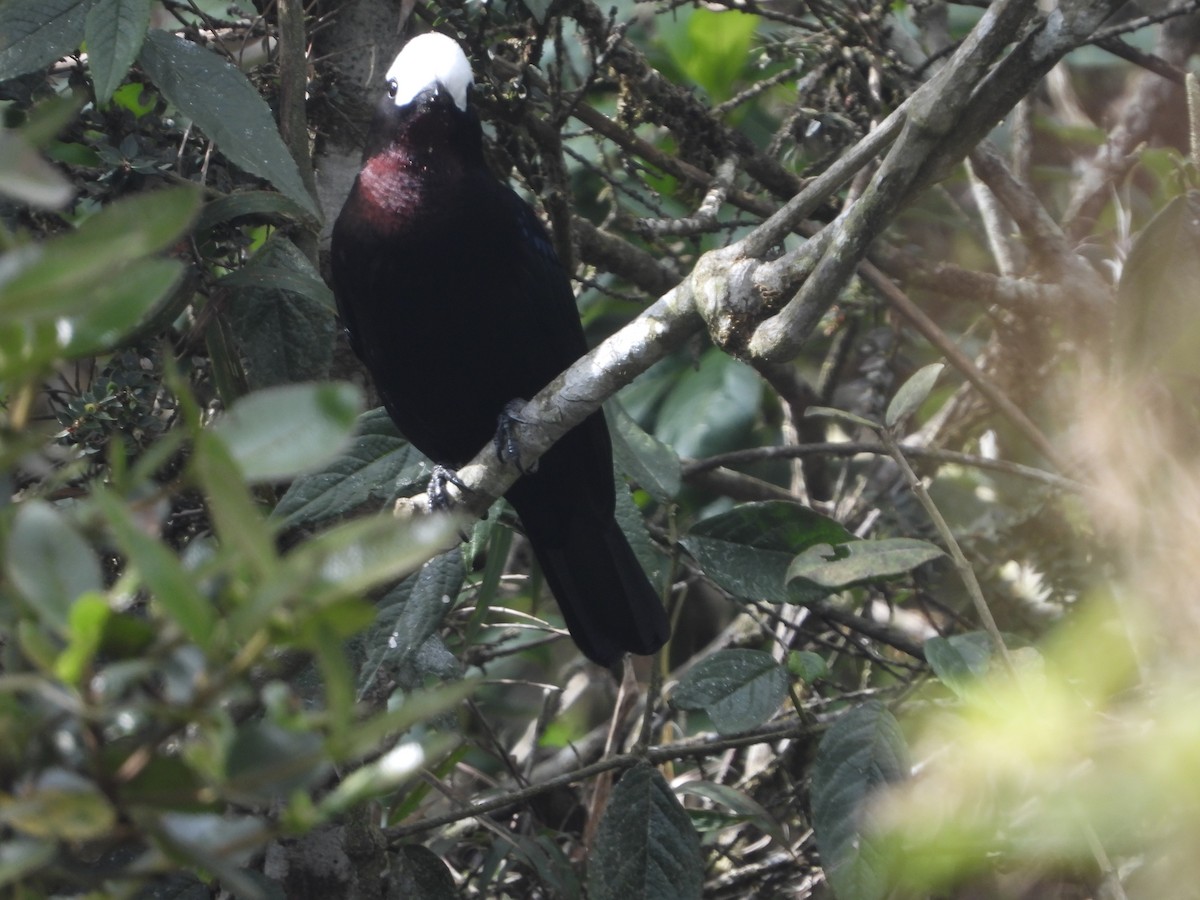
point(50, 563)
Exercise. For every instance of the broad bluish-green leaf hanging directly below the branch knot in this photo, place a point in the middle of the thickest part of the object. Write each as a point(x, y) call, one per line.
point(711, 410)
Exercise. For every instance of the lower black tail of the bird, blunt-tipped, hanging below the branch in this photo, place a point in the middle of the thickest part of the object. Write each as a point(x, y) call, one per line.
point(602, 590)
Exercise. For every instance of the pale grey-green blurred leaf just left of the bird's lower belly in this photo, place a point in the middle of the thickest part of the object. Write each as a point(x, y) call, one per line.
point(281, 433)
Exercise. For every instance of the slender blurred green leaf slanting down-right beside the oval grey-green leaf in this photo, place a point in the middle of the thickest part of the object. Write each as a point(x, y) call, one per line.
point(159, 569)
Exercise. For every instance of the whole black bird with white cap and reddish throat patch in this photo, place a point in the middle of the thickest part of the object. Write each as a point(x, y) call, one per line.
point(457, 303)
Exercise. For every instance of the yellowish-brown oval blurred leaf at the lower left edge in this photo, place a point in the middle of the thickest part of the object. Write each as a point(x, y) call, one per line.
point(59, 805)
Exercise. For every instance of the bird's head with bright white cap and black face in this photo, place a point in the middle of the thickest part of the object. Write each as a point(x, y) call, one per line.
point(427, 107)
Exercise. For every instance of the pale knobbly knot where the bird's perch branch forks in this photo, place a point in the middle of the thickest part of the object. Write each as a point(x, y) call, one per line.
point(730, 298)
